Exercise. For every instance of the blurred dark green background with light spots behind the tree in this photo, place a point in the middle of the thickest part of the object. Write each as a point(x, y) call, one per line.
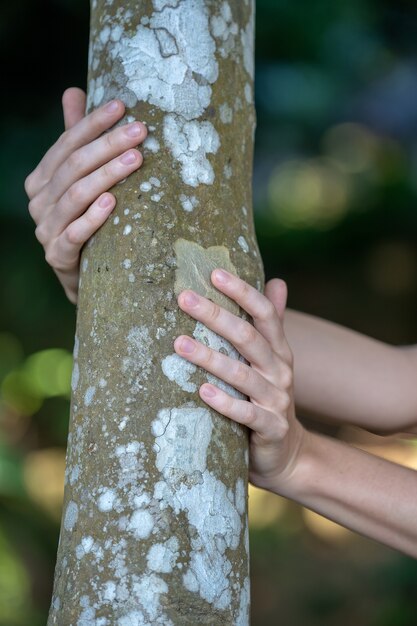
point(335, 191)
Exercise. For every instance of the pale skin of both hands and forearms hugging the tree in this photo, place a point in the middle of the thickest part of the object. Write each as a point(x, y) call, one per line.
point(340, 376)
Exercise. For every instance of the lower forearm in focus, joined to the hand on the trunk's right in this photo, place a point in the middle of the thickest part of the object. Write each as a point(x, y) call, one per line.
point(362, 492)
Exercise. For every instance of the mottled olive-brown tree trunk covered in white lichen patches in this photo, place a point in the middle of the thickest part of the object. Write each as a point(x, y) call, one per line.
point(154, 527)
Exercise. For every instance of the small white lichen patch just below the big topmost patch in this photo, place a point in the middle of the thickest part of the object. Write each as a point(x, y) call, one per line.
point(189, 143)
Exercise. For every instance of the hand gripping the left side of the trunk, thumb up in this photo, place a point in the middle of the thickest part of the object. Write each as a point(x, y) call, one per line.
point(68, 189)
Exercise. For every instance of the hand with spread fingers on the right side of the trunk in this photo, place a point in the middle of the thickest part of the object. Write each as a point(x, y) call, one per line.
point(276, 436)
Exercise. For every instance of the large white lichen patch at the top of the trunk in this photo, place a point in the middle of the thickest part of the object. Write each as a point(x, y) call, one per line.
point(170, 62)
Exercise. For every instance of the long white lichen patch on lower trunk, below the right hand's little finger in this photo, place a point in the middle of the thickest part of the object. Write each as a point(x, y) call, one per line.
point(182, 438)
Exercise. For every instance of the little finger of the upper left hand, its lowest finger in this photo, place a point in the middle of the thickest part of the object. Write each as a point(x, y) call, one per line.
point(66, 249)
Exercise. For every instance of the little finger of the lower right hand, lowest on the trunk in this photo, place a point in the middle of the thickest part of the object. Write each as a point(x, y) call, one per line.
point(254, 417)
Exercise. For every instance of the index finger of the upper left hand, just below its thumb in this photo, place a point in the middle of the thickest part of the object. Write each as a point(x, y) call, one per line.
point(86, 130)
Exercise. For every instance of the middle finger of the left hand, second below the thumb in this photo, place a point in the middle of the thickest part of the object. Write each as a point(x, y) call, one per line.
point(90, 157)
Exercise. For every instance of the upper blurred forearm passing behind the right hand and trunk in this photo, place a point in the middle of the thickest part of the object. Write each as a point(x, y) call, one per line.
point(341, 375)
